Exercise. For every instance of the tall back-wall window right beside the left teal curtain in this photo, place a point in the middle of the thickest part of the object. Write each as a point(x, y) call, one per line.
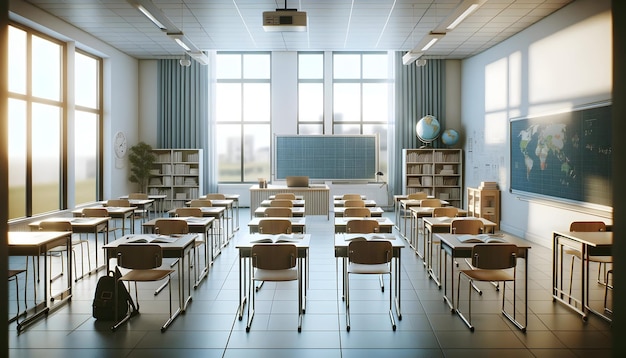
point(243, 114)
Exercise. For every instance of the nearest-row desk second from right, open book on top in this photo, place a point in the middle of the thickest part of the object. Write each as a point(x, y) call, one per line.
point(455, 249)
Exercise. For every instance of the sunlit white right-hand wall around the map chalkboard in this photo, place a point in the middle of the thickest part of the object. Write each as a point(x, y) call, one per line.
point(559, 63)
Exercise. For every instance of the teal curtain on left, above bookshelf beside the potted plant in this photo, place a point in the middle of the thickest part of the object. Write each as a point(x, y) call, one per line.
point(183, 113)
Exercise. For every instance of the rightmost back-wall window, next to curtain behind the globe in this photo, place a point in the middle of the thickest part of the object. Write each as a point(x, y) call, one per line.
point(362, 95)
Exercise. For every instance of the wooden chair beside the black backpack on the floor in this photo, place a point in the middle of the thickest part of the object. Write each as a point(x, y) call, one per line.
point(142, 262)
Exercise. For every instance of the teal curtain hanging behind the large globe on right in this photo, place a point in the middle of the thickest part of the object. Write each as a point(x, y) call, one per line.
point(418, 91)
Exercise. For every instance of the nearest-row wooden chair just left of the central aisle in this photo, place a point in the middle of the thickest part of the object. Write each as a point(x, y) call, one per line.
point(274, 263)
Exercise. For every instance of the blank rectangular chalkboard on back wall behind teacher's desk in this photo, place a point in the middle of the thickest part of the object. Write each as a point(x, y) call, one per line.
point(326, 157)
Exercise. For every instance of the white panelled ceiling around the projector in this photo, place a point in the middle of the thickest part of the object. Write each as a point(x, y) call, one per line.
point(333, 25)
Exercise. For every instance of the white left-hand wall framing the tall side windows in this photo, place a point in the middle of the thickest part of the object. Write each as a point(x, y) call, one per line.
point(120, 87)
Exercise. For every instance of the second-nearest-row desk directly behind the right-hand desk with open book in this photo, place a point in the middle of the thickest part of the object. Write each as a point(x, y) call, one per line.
point(442, 225)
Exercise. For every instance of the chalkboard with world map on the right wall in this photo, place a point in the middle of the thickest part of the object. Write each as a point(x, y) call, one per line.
point(564, 155)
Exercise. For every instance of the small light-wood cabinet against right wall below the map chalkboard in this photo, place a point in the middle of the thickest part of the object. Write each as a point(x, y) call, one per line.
point(484, 202)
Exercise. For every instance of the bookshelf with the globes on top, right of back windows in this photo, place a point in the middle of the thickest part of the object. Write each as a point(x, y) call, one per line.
point(437, 172)
